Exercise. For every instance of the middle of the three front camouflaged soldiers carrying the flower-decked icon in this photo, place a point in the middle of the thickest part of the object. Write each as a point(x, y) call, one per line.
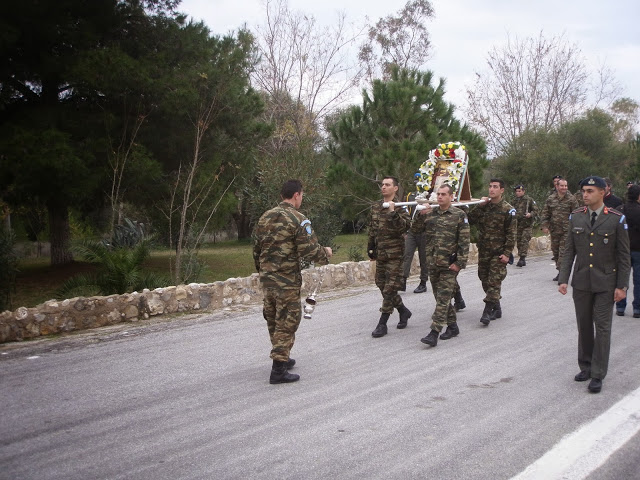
point(447, 238)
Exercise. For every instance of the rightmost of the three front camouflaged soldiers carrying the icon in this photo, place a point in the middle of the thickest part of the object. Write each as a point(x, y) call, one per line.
point(496, 223)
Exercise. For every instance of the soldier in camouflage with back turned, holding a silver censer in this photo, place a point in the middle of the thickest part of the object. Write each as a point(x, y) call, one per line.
point(282, 238)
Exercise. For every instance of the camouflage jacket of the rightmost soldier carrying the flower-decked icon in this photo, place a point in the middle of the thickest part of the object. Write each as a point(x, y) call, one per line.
point(496, 227)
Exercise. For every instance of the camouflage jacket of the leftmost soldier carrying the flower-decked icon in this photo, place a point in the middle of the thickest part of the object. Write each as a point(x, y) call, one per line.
point(386, 231)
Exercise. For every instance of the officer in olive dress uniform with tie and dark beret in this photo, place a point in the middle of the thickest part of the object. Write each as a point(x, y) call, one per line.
point(599, 244)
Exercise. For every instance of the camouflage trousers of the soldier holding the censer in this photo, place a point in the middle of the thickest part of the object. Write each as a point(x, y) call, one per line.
point(282, 310)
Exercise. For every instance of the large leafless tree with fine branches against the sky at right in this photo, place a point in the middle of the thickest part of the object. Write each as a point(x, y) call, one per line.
point(531, 83)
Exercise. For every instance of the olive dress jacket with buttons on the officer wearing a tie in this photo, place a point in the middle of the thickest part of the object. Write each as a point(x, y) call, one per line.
point(601, 252)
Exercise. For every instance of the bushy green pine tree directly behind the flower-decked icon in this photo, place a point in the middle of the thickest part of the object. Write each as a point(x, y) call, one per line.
point(399, 122)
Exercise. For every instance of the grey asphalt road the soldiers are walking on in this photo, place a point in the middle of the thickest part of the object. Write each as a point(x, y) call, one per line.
point(189, 398)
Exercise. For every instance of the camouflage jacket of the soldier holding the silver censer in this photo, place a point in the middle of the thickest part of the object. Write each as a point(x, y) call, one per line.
point(282, 238)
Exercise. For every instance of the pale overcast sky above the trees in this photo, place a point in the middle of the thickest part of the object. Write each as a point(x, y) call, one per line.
point(464, 31)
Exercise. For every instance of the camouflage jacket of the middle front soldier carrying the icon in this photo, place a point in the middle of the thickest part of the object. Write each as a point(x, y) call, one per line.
point(447, 236)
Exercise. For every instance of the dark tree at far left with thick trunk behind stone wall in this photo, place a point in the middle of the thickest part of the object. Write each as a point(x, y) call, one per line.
point(42, 106)
